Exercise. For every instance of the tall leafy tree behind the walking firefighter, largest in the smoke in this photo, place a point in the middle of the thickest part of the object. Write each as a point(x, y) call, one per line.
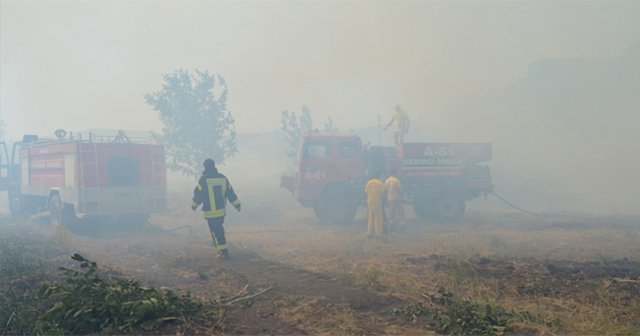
point(197, 124)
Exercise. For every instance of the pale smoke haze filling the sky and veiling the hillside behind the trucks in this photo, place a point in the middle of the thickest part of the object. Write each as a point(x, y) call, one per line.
point(554, 86)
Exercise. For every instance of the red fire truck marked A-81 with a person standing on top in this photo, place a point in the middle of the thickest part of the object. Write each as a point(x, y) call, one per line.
point(437, 178)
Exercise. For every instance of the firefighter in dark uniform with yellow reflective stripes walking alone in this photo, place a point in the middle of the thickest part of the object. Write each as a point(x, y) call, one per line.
point(213, 191)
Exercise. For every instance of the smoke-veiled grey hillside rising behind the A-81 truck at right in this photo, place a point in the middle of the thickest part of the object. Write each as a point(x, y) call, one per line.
point(564, 138)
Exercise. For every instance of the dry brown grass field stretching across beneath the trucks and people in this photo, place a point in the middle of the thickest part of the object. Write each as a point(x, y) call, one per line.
point(513, 273)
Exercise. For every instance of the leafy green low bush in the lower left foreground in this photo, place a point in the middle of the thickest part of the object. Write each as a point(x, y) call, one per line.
point(87, 303)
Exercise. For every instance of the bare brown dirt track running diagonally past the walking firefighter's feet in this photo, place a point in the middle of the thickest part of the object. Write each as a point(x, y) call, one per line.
point(292, 300)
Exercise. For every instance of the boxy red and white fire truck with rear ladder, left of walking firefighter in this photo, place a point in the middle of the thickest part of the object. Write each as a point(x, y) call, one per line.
point(74, 178)
